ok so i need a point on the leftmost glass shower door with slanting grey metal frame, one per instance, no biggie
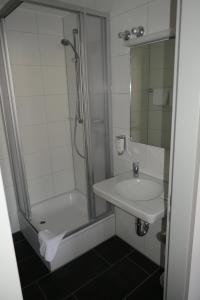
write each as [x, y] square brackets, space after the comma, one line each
[11, 130]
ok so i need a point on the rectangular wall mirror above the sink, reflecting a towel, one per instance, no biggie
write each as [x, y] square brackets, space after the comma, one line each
[151, 93]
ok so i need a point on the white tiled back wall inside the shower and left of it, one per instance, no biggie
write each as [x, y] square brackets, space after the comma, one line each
[40, 84]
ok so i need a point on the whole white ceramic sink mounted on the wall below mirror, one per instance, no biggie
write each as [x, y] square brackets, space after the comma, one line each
[142, 197]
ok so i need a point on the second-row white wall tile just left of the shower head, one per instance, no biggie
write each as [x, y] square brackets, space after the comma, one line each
[51, 50]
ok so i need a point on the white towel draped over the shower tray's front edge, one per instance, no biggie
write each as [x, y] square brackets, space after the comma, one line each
[49, 244]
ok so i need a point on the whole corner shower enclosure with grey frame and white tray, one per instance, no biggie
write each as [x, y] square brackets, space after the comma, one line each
[55, 107]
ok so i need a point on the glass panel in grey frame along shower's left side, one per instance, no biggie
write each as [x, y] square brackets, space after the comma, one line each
[9, 128]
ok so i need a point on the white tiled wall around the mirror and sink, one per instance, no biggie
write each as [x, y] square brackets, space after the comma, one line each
[154, 16]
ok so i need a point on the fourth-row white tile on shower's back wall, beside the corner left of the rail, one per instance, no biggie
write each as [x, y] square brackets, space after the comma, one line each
[56, 107]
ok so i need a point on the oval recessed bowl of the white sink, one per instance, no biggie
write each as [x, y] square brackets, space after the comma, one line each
[139, 189]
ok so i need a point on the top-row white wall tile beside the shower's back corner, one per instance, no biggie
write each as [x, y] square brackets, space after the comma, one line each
[49, 24]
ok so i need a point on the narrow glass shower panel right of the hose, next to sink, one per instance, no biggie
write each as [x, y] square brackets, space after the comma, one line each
[95, 39]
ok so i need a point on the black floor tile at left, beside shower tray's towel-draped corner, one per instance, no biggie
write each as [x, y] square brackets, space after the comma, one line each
[31, 269]
